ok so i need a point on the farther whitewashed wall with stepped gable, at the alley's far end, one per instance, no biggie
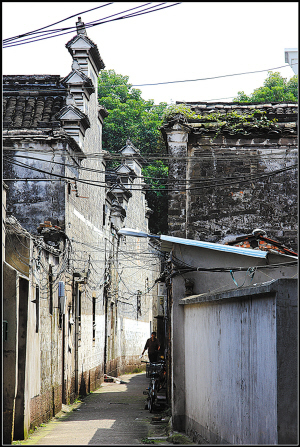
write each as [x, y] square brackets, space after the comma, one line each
[136, 266]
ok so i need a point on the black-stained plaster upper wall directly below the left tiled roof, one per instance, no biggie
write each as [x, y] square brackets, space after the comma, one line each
[35, 201]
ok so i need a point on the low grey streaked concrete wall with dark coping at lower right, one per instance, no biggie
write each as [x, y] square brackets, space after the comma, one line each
[240, 365]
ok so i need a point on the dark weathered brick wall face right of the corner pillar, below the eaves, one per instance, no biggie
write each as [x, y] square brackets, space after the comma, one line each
[231, 209]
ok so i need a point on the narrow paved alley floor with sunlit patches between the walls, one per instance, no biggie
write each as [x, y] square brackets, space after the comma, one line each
[112, 415]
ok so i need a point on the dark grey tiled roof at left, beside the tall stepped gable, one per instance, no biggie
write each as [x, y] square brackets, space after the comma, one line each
[31, 102]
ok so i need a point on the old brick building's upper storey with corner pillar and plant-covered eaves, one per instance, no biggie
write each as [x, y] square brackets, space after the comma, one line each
[226, 183]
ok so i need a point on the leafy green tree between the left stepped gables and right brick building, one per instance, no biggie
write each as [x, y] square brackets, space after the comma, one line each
[130, 116]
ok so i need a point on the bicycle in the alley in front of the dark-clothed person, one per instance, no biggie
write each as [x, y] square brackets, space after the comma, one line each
[157, 374]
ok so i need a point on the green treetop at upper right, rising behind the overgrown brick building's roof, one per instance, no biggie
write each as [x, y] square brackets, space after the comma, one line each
[275, 89]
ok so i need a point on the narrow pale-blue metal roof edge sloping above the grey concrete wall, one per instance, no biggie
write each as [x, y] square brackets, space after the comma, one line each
[218, 247]
